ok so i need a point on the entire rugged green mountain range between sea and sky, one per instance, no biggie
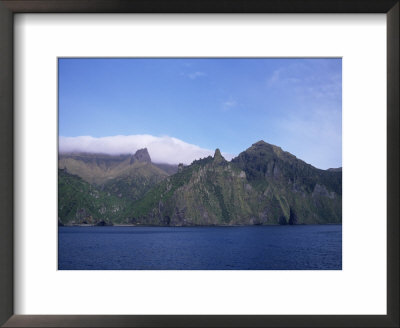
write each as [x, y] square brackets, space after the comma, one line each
[262, 185]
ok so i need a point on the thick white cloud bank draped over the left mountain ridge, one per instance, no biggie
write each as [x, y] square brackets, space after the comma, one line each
[161, 149]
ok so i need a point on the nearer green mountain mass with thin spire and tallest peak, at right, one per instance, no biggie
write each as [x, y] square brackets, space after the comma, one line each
[263, 185]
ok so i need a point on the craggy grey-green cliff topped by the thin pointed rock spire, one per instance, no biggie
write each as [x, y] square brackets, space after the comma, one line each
[210, 191]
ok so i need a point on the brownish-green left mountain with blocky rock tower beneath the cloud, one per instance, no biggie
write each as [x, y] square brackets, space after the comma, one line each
[95, 188]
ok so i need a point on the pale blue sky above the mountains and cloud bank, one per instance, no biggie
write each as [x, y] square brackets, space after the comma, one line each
[206, 103]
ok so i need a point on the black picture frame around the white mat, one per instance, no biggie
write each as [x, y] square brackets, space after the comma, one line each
[10, 7]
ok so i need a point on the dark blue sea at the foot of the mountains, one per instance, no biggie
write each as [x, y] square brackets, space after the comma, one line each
[302, 247]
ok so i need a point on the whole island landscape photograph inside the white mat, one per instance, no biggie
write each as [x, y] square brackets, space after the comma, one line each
[223, 163]
